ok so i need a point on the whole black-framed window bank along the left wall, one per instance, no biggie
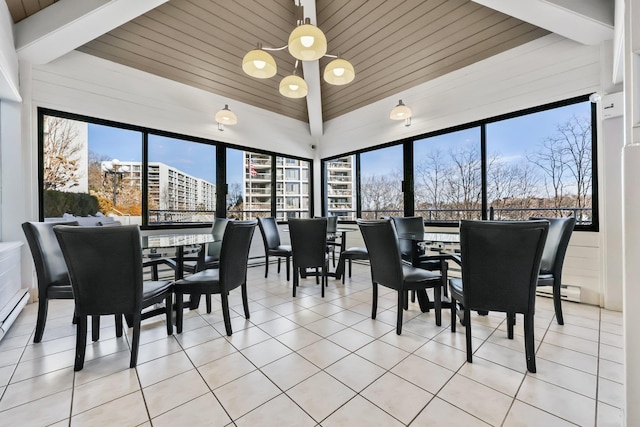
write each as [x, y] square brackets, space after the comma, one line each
[91, 166]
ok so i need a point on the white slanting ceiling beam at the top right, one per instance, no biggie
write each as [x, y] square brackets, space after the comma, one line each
[588, 22]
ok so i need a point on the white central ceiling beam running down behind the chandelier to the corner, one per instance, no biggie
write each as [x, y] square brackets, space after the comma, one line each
[311, 70]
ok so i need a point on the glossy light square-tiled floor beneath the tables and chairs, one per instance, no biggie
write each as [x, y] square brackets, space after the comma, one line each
[308, 361]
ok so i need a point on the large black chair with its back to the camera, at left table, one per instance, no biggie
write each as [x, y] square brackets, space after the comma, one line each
[105, 267]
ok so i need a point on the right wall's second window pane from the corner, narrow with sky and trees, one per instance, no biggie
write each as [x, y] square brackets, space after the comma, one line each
[381, 183]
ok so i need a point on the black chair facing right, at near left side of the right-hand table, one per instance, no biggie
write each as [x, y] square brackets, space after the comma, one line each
[387, 269]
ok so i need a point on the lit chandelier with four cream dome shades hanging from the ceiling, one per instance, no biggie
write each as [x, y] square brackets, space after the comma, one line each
[306, 43]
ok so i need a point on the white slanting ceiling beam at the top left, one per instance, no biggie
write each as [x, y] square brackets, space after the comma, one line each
[68, 24]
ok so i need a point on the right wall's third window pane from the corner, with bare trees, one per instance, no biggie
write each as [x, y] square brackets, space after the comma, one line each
[447, 176]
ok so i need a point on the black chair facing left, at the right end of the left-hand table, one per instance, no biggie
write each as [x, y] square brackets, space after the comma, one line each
[230, 274]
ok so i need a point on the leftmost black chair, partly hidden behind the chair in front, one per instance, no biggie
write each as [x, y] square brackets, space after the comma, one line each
[51, 270]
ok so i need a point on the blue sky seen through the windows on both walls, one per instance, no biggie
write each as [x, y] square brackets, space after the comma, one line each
[507, 137]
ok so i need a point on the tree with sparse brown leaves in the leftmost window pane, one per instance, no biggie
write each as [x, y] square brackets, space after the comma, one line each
[61, 154]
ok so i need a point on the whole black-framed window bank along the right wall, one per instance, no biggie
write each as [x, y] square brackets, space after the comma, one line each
[536, 162]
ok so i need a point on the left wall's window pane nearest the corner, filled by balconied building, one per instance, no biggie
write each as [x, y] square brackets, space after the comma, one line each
[292, 176]
